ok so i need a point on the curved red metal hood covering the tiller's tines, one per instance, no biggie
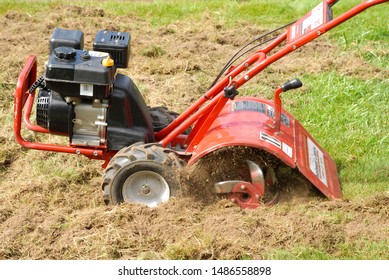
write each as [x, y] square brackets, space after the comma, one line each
[249, 121]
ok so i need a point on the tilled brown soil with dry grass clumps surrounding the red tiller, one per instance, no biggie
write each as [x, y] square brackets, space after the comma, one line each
[51, 205]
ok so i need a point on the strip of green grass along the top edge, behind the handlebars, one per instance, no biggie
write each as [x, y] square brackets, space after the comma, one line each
[369, 36]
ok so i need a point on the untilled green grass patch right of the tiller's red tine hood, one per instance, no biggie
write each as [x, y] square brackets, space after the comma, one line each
[348, 117]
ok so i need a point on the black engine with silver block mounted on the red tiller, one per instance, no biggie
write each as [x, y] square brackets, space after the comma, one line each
[85, 99]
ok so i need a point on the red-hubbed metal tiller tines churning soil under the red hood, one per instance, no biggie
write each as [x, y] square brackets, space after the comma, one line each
[246, 194]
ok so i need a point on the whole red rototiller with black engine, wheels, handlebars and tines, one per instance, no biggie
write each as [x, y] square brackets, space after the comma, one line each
[105, 117]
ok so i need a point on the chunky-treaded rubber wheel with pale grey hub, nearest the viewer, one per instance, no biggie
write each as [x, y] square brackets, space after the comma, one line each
[141, 173]
